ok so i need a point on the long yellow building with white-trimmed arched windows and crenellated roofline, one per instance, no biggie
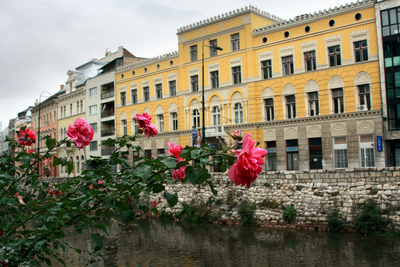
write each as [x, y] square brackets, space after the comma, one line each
[307, 87]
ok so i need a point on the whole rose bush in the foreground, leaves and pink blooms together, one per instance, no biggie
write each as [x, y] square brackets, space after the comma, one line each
[35, 214]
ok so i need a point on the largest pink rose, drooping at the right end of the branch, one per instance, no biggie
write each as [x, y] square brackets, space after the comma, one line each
[248, 166]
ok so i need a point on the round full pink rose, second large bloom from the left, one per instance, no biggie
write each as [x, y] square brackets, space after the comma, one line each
[80, 132]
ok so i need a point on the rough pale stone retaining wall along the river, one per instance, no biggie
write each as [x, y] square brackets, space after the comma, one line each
[315, 194]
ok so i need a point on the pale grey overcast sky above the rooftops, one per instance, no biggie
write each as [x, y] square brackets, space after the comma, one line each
[42, 39]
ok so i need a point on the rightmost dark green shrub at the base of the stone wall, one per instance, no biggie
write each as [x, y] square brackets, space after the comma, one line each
[370, 219]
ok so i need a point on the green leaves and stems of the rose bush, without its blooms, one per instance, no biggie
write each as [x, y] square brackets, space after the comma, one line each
[35, 215]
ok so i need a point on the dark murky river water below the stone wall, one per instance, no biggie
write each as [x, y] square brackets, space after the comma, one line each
[158, 243]
